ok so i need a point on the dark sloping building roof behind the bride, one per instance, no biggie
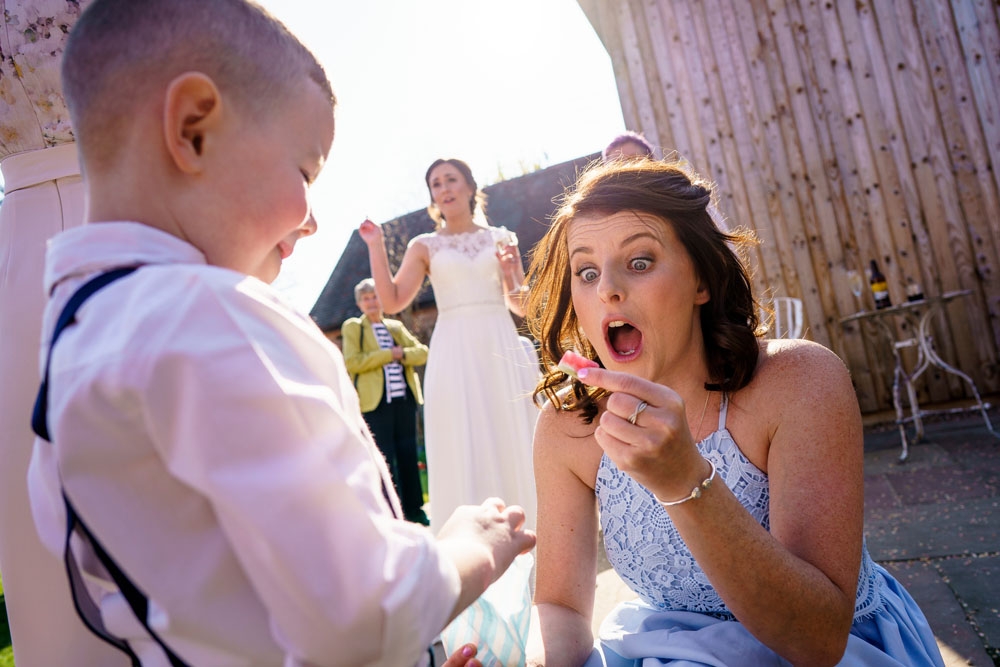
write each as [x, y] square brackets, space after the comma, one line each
[522, 205]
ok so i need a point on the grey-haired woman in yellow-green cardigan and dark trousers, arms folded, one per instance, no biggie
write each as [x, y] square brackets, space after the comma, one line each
[380, 355]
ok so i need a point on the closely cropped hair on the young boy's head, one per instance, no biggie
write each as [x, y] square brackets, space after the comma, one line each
[123, 52]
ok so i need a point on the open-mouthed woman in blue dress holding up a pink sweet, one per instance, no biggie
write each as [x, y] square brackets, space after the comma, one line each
[726, 470]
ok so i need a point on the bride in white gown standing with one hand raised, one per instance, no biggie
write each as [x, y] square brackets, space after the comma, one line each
[479, 417]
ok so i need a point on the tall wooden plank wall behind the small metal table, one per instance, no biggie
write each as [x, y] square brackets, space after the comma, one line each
[840, 131]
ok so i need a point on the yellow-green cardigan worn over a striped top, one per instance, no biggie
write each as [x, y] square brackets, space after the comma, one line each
[365, 359]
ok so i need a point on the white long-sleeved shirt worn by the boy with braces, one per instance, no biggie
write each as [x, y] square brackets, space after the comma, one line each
[210, 437]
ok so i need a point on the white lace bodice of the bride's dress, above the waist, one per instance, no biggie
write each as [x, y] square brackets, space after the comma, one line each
[464, 268]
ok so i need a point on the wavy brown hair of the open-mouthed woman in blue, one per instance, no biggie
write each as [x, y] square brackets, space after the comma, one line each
[729, 320]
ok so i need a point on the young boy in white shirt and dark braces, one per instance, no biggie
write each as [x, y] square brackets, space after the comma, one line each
[207, 435]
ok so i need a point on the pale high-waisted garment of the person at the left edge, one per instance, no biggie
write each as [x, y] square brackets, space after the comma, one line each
[44, 196]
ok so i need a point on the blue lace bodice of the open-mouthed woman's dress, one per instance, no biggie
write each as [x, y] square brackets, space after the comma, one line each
[648, 553]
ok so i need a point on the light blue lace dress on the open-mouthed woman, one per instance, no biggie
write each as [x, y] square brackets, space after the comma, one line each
[679, 619]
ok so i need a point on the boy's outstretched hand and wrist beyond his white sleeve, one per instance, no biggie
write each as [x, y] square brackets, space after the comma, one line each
[482, 541]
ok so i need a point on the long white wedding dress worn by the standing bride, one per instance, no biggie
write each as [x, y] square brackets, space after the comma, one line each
[479, 417]
